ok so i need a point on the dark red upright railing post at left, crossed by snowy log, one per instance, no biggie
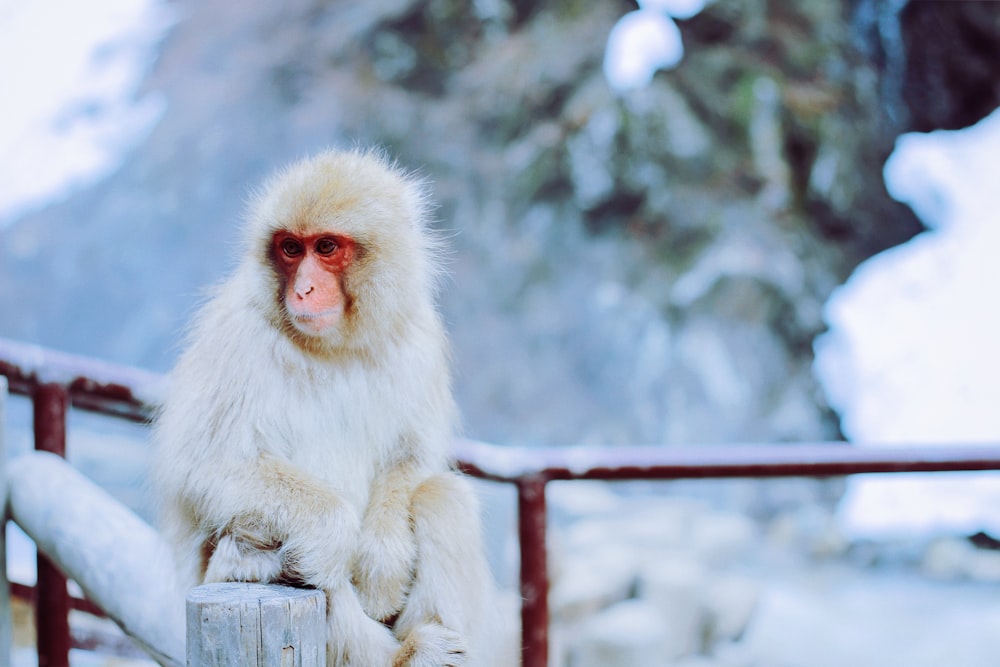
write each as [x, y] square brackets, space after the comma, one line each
[50, 403]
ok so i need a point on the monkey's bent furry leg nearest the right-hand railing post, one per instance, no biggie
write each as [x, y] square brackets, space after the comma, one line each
[451, 592]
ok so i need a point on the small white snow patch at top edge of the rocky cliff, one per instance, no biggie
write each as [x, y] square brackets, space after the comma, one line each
[646, 40]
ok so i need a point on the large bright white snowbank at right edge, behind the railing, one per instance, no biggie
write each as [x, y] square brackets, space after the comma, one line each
[911, 355]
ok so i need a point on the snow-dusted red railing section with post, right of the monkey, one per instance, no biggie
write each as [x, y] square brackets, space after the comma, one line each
[531, 469]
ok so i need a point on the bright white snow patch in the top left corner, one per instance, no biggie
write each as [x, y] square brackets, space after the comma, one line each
[70, 76]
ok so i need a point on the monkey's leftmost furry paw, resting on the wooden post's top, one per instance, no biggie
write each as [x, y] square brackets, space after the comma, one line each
[243, 553]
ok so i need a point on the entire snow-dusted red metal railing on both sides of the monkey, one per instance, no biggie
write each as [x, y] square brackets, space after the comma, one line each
[55, 381]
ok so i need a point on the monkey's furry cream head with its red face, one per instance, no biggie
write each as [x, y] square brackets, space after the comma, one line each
[348, 262]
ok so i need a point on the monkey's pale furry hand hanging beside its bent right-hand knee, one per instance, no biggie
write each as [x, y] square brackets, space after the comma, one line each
[384, 560]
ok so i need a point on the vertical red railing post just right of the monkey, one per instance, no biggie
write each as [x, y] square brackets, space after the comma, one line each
[531, 513]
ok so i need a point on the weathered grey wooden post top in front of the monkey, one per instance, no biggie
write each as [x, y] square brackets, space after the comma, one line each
[234, 624]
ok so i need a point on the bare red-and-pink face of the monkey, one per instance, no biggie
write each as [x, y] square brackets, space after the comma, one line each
[312, 270]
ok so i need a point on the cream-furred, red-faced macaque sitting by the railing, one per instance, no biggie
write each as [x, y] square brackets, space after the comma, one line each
[306, 434]
